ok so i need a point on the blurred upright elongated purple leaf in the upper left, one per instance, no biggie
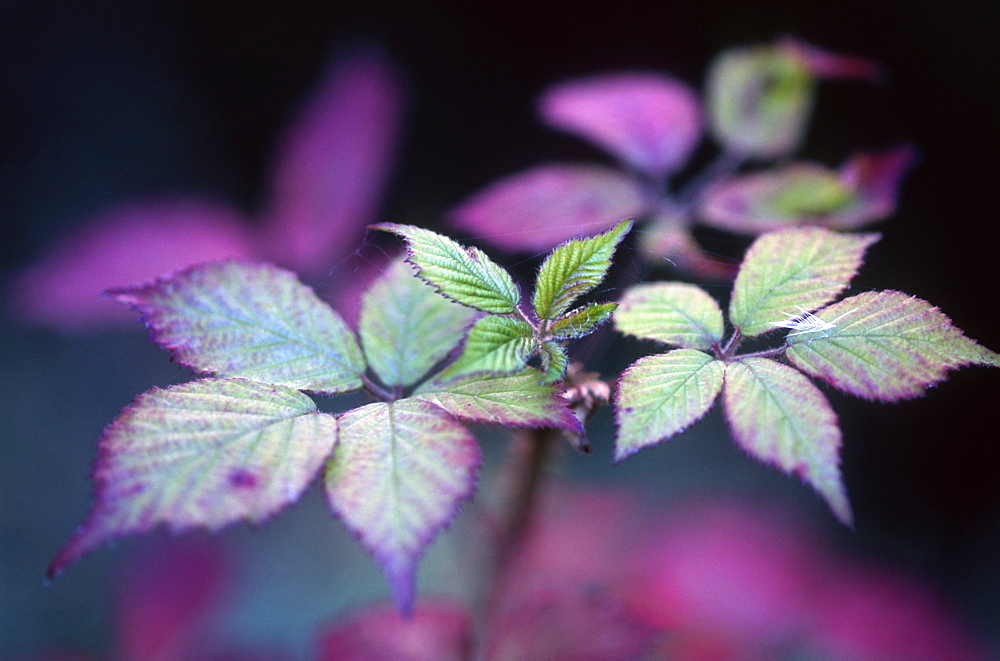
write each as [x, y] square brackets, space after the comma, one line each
[333, 163]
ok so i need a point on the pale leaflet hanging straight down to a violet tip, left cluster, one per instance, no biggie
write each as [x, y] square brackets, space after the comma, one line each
[397, 477]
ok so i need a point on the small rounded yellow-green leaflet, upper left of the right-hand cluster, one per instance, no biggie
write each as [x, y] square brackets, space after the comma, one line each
[671, 312]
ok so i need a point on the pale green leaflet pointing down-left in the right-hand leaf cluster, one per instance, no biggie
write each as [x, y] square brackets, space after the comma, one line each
[660, 396]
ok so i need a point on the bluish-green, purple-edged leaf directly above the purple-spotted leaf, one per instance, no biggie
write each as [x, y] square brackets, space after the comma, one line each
[256, 321]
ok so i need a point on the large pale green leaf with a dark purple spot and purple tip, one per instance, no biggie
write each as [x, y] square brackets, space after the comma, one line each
[202, 454]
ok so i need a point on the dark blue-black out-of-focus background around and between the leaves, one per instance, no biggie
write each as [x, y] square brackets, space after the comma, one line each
[110, 101]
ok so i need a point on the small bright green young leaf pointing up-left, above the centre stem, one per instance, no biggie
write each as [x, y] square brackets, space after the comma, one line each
[466, 275]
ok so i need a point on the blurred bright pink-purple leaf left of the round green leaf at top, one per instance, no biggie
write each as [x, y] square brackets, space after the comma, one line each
[648, 120]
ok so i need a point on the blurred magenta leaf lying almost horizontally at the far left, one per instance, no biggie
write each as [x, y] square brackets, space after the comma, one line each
[126, 244]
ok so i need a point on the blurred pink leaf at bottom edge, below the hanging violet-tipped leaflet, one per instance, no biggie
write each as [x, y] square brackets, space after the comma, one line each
[436, 631]
